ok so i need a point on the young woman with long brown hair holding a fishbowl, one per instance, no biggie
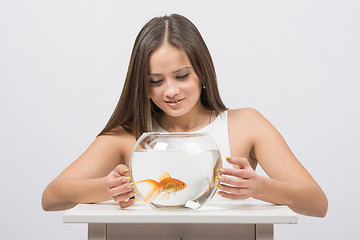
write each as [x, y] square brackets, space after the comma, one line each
[171, 86]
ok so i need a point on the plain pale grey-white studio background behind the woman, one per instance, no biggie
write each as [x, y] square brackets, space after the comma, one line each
[62, 65]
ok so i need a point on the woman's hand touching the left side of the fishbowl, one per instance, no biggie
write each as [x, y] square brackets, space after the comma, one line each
[119, 187]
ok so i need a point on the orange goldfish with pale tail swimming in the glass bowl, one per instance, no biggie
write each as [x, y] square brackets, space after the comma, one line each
[166, 185]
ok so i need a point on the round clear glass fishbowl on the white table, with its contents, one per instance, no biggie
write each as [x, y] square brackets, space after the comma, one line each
[175, 170]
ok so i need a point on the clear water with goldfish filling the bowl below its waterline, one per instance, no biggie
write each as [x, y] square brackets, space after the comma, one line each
[175, 179]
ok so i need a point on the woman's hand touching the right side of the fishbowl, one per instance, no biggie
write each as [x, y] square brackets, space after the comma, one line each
[239, 182]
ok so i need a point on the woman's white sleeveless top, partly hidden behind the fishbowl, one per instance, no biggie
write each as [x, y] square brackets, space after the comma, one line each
[218, 130]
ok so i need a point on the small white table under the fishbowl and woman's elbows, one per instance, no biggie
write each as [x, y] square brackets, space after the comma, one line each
[216, 220]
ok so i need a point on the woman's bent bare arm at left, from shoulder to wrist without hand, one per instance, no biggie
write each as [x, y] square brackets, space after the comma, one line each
[84, 181]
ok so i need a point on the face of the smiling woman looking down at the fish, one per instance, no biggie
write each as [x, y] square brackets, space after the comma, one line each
[174, 86]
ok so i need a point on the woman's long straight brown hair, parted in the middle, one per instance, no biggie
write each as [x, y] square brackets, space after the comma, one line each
[135, 110]
